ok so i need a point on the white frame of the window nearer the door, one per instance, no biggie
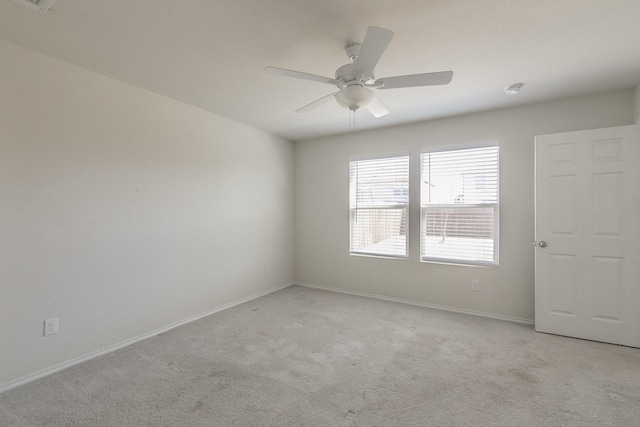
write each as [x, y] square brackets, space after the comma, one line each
[495, 206]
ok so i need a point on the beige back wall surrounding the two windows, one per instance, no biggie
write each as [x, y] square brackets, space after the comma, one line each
[322, 212]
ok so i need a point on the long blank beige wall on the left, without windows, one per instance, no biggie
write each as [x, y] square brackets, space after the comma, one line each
[123, 212]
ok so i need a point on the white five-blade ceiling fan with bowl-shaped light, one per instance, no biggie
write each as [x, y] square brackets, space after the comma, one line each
[356, 79]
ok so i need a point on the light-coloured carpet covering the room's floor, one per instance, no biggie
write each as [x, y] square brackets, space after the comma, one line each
[305, 357]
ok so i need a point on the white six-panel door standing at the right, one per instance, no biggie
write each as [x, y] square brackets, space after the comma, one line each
[588, 235]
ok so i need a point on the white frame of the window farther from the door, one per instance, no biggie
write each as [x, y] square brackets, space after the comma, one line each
[354, 207]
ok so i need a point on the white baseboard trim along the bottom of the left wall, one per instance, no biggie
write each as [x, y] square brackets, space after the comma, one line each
[64, 365]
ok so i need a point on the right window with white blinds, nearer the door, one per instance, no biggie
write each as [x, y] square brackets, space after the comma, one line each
[459, 206]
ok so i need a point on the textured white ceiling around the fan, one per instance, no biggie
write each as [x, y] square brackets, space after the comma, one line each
[211, 53]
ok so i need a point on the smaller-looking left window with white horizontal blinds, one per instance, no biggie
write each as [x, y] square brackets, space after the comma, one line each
[379, 200]
